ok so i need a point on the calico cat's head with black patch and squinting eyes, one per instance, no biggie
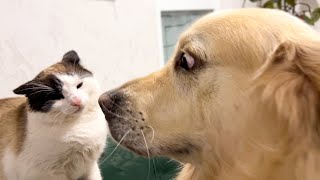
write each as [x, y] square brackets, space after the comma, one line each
[65, 87]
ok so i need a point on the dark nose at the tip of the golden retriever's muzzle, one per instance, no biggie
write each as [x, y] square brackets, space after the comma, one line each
[109, 103]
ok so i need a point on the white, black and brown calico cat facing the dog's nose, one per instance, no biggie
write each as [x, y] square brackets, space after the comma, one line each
[57, 131]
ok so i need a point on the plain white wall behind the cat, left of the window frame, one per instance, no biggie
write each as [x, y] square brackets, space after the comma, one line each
[117, 40]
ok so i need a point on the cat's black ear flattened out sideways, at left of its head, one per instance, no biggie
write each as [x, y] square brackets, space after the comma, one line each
[29, 88]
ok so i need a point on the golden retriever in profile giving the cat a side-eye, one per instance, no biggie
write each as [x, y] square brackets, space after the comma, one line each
[238, 100]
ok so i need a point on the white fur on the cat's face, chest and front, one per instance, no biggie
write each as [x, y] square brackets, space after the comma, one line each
[62, 145]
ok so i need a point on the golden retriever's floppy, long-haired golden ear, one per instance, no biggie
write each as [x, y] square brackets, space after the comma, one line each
[290, 82]
